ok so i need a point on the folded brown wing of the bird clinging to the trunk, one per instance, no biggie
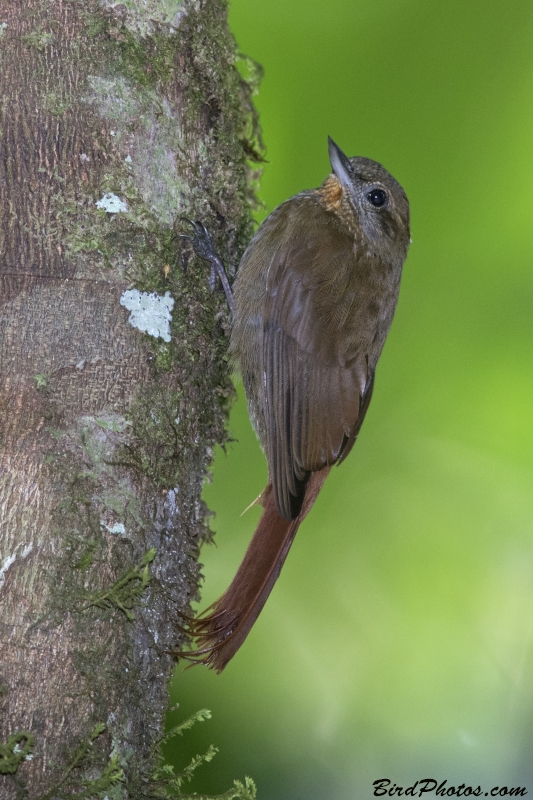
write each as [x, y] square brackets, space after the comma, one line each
[315, 373]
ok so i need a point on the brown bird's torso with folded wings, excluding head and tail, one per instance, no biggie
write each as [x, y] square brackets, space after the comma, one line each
[312, 316]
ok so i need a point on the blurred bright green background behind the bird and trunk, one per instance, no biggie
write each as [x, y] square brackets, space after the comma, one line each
[398, 641]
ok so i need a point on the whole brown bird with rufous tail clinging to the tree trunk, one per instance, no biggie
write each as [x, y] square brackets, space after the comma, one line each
[312, 304]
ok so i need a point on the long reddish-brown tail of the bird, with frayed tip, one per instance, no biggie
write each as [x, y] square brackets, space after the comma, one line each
[220, 633]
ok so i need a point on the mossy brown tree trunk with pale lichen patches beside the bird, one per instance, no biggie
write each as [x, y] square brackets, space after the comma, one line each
[106, 432]
